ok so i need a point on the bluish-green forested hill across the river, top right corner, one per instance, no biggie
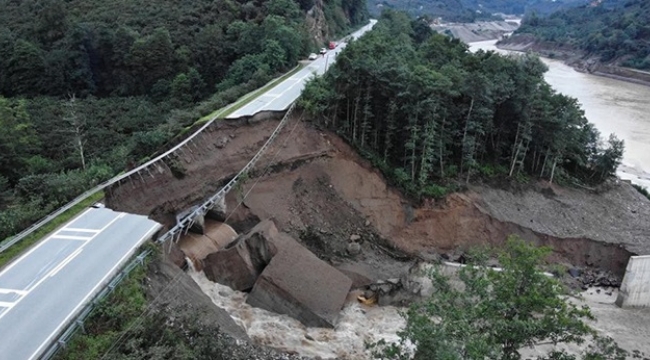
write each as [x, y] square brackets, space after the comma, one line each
[614, 30]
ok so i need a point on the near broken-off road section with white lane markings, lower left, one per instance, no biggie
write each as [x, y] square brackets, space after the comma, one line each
[42, 290]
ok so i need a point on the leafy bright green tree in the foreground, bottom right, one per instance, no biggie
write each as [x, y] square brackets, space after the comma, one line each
[494, 314]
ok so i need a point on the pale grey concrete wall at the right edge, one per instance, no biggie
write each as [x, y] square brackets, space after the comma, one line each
[635, 289]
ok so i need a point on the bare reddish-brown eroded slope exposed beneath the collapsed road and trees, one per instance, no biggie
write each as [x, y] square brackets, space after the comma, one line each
[311, 179]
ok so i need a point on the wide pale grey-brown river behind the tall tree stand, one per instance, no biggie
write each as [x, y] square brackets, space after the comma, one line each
[613, 106]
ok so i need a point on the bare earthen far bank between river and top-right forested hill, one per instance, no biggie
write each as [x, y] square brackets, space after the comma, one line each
[576, 59]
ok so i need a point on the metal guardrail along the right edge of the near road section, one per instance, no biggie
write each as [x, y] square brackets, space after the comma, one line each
[77, 324]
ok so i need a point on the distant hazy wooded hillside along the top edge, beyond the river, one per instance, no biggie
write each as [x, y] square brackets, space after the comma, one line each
[470, 10]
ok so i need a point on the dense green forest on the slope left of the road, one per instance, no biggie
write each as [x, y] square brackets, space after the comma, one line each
[88, 88]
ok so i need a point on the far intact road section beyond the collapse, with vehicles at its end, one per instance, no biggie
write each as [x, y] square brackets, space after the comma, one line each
[281, 96]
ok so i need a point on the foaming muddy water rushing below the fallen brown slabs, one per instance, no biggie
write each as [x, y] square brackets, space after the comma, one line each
[357, 326]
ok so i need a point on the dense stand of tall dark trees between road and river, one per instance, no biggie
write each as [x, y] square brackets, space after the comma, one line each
[429, 113]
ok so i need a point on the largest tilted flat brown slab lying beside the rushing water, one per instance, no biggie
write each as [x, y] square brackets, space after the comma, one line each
[299, 284]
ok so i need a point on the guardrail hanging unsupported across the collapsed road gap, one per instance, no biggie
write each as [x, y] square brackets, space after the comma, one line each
[186, 223]
